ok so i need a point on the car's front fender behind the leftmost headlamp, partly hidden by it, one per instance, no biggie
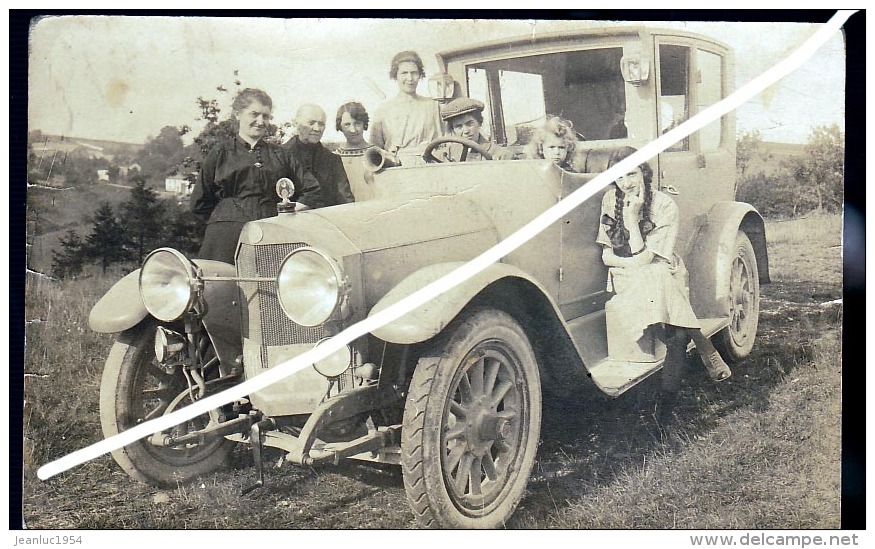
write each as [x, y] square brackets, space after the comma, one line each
[122, 308]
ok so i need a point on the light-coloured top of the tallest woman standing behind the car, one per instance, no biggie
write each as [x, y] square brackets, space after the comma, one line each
[405, 122]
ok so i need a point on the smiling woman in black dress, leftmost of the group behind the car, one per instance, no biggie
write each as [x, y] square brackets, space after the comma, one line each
[237, 180]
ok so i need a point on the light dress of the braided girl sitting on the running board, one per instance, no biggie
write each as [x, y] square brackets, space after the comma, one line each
[654, 293]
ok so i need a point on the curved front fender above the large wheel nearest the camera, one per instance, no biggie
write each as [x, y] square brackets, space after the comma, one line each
[429, 319]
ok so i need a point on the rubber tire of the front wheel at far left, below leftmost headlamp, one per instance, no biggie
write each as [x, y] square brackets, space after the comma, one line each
[132, 352]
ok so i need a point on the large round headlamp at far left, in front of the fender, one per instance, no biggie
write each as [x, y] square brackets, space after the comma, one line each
[168, 284]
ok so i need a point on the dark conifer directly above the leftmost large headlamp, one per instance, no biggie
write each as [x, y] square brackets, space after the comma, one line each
[143, 221]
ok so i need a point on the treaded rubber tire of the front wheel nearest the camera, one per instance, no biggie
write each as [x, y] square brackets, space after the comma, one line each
[435, 381]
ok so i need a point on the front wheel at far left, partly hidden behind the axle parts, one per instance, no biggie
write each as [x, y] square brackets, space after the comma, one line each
[133, 390]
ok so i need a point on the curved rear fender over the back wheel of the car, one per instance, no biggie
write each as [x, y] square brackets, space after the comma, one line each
[712, 253]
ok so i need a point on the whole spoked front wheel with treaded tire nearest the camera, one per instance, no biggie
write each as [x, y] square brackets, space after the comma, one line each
[471, 424]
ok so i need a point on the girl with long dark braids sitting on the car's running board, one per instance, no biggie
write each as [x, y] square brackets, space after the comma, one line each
[638, 231]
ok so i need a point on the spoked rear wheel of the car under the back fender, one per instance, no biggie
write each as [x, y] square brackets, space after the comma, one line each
[736, 341]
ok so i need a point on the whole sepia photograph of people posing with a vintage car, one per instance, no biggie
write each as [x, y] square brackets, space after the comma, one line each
[212, 198]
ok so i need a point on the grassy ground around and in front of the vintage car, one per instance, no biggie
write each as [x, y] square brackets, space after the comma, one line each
[761, 450]
